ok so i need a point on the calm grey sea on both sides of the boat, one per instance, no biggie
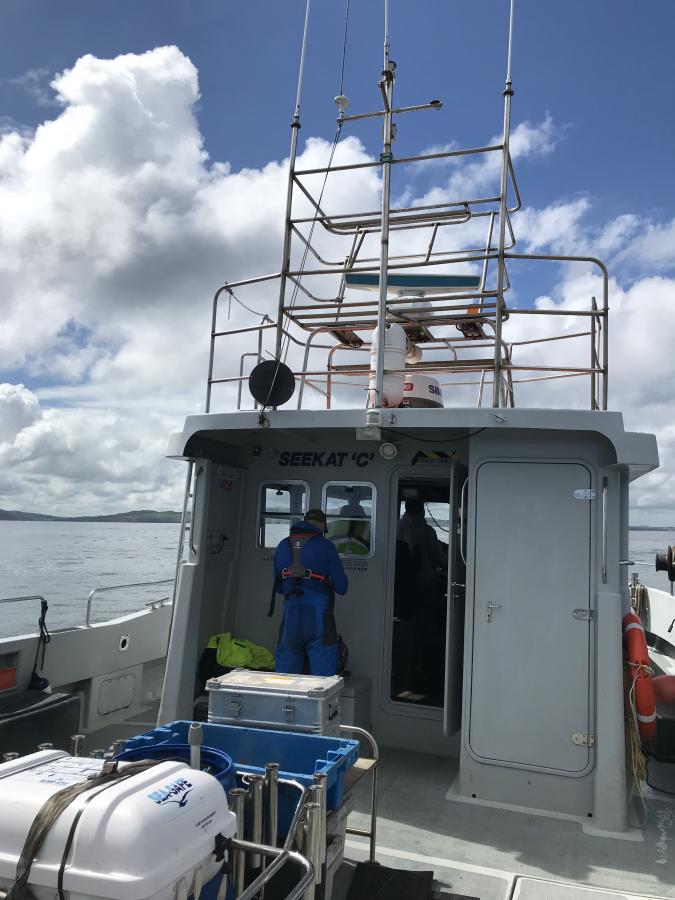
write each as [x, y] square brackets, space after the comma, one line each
[63, 561]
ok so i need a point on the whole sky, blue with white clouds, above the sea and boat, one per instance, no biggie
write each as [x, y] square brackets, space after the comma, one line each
[143, 152]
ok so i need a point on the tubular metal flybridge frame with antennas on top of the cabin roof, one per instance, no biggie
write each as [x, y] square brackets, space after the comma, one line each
[450, 334]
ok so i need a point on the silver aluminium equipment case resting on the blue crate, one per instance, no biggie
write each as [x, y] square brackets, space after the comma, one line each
[305, 703]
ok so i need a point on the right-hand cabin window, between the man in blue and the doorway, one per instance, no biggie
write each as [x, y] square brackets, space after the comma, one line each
[350, 513]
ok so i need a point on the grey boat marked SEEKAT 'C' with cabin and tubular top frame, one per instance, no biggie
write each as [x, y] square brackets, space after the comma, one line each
[499, 738]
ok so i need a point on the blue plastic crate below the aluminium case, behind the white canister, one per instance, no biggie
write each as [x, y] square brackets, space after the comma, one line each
[299, 756]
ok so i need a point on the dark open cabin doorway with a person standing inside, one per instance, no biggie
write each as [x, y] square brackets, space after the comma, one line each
[426, 632]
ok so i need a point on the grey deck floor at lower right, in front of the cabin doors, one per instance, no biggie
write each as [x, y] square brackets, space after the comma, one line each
[480, 851]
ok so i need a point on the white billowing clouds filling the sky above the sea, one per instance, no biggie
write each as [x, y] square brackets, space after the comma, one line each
[115, 228]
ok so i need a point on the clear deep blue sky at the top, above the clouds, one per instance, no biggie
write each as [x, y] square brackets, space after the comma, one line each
[604, 68]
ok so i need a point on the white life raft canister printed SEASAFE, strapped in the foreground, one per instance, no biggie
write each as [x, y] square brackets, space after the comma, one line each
[147, 837]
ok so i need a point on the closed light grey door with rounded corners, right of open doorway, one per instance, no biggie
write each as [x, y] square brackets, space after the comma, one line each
[530, 669]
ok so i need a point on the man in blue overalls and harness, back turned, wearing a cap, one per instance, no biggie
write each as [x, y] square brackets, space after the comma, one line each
[308, 572]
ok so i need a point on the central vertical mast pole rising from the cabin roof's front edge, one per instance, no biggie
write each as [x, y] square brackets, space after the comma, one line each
[387, 88]
